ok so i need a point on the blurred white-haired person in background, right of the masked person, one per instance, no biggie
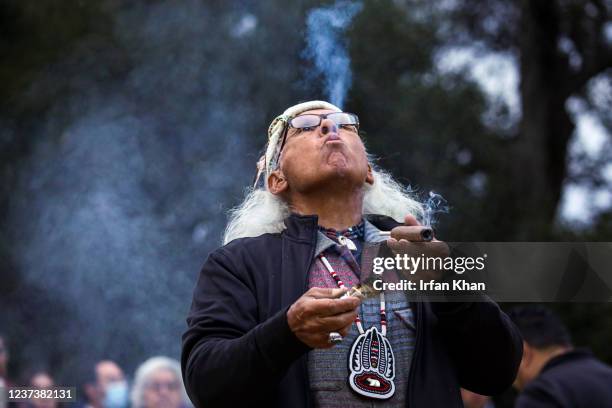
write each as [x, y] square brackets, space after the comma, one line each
[158, 384]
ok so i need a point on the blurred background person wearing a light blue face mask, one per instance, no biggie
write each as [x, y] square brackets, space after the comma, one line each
[107, 387]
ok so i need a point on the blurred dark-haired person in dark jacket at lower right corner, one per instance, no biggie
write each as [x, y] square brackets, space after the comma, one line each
[552, 372]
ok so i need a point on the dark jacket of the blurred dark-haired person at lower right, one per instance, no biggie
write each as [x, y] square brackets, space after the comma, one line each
[575, 379]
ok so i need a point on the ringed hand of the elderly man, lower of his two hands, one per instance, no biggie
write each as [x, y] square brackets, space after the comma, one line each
[319, 312]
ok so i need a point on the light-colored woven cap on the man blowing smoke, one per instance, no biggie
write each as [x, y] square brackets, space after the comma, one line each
[269, 161]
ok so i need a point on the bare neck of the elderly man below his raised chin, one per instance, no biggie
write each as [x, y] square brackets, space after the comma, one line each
[334, 210]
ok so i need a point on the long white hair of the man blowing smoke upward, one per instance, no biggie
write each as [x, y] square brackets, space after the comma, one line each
[262, 212]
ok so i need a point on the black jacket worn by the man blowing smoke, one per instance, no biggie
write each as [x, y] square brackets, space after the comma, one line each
[238, 348]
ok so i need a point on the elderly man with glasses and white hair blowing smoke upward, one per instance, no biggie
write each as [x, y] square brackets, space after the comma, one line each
[268, 323]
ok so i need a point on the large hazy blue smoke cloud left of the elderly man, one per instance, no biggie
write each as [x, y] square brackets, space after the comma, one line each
[148, 138]
